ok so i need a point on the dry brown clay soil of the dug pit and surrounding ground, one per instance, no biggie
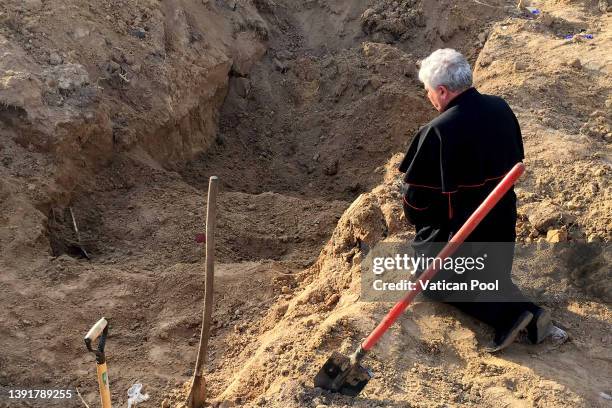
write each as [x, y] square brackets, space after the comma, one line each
[121, 110]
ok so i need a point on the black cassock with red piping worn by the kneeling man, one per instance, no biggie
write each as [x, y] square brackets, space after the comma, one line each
[451, 166]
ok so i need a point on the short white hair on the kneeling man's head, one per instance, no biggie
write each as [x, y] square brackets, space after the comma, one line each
[446, 67]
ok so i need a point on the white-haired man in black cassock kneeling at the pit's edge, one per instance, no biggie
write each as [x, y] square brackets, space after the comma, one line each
[453, 163]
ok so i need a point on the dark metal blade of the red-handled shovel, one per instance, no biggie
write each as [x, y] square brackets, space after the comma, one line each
[338, 374]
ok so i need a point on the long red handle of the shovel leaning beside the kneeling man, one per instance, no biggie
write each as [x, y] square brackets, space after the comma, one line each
[493, 198]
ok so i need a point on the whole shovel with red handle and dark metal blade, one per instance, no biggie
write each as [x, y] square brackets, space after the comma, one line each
[345, 374]
